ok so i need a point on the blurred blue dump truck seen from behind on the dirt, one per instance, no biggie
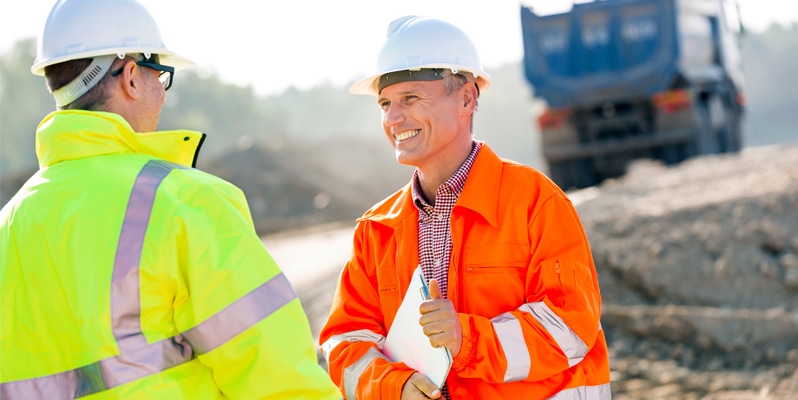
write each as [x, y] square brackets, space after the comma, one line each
[621, 80]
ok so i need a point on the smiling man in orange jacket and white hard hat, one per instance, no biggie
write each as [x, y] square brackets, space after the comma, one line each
[514, 292]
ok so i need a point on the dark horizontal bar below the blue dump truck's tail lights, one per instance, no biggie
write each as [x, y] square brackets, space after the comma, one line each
[617, 146]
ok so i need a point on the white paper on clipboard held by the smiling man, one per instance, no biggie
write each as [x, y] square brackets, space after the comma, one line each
[406, 341]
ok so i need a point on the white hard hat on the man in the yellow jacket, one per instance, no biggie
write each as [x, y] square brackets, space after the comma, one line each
[78, 29]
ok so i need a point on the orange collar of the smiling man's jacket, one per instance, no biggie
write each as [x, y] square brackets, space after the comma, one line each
[480, 194]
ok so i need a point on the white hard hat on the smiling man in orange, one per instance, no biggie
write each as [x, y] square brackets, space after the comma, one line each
[414, 43]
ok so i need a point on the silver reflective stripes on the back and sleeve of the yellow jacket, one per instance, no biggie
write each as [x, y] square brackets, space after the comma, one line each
[137, 358]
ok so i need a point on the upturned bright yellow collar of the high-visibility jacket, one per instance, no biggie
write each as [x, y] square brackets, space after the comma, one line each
[73, 134]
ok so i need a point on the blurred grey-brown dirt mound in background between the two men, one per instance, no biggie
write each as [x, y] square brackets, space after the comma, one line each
[291, 185]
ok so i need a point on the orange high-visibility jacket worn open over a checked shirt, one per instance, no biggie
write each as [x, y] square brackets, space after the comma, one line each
[521, 277]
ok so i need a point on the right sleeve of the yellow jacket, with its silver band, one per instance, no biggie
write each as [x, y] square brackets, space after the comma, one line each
[231, 301]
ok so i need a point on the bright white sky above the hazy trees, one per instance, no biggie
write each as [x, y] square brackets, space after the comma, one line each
[273, 45]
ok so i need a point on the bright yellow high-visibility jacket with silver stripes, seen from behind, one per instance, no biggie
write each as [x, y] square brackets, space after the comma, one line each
[126, 273]
